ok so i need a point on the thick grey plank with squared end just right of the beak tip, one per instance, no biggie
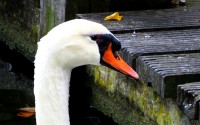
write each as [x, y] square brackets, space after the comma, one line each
[165, 72]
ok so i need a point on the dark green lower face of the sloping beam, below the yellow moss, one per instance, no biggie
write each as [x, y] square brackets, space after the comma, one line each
[112, 107]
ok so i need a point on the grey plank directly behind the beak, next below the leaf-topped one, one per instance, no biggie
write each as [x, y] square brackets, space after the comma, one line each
[163, 42]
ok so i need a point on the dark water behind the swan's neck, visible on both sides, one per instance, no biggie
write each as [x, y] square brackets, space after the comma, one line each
[13, 97]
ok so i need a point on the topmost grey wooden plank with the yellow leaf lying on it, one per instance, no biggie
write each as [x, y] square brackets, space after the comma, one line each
[150, 20]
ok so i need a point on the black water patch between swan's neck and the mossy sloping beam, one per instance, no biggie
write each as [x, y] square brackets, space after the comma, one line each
[81, 110]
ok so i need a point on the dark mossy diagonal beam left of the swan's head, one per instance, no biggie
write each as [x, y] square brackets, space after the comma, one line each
[18, 38]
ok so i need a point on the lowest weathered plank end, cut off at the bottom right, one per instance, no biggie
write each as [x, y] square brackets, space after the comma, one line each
[188, 98]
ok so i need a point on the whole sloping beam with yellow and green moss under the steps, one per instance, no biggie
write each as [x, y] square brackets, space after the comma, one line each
[128, 101]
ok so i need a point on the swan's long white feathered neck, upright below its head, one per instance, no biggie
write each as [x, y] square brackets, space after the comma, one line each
[51, 88]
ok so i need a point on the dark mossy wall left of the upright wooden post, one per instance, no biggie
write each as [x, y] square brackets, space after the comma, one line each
[19, 25]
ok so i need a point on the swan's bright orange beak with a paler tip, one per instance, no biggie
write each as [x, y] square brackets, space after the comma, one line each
[118, 63]
